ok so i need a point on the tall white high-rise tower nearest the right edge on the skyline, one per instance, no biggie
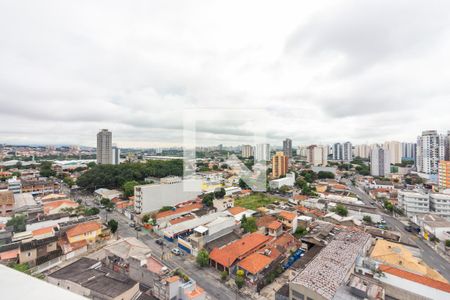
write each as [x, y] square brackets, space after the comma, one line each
[430, 150]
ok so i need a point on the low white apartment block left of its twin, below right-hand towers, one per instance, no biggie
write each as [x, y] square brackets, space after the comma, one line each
[413, 202]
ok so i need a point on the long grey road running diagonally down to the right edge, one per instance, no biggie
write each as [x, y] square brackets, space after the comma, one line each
[429, 256]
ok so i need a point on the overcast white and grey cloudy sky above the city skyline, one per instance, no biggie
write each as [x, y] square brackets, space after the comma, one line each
[233, 71]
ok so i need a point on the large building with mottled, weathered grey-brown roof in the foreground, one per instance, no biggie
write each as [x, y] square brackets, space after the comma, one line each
[330, 269]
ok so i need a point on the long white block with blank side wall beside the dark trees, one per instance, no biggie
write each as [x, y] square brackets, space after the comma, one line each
[151, 197]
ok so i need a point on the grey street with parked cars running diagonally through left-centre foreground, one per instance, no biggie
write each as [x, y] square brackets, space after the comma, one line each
[207, 278]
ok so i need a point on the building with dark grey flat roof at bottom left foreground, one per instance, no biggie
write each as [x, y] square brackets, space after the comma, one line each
[89, 278]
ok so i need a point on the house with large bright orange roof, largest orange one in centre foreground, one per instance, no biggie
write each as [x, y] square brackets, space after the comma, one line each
[226, 257]
